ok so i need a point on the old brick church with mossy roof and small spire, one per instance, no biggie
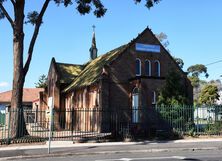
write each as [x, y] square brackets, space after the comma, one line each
[125, 79]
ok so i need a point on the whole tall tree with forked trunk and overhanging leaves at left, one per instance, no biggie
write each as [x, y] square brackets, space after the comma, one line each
[35, 18]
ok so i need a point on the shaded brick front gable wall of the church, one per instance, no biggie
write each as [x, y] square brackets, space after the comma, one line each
[123, 69]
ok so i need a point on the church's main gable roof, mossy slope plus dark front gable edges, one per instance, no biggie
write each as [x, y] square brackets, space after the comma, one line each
[93, 69]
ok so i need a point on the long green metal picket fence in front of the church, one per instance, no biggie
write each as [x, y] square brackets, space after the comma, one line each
[97, 124]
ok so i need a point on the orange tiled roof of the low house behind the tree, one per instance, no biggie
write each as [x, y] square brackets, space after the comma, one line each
[29, 95]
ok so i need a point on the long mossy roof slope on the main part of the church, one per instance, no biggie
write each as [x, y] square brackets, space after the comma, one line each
[93, 69]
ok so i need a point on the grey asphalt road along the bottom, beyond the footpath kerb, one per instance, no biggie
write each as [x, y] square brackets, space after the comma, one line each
[205, 155]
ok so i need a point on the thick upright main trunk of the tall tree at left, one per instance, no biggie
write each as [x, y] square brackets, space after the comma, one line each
[18, 128]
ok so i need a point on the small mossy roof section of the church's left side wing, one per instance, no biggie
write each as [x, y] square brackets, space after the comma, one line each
[68, 72]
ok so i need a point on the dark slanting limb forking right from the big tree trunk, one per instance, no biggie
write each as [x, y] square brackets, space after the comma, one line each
[34, 36]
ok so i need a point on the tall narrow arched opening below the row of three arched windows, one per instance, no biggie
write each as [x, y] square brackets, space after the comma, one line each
[135, 105]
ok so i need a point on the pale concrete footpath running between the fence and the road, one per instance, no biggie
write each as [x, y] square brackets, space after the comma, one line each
[63, 148]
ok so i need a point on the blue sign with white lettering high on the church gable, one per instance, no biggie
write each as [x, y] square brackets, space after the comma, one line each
[148, 48]
